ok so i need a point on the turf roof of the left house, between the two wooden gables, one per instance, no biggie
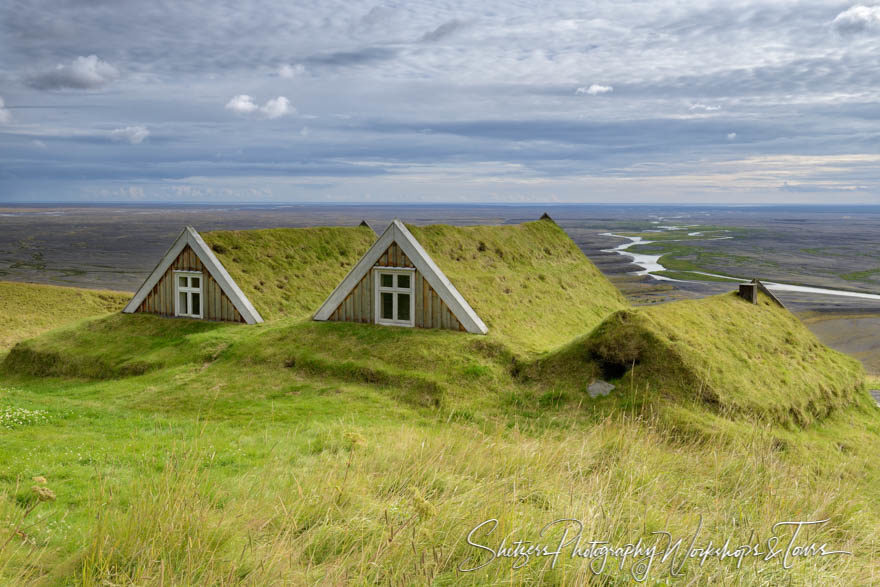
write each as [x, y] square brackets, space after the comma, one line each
[288, 272]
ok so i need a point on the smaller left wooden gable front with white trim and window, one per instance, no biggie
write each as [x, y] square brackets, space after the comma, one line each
[190, 282]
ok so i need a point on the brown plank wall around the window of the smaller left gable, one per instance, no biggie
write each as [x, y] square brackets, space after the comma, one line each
[217, 305]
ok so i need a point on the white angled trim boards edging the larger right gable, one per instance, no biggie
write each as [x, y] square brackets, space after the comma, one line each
[398, 233]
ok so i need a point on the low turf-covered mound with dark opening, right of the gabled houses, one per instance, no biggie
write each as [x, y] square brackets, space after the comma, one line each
[732, 356]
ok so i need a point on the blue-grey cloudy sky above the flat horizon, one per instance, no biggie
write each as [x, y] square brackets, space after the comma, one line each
[651, 101]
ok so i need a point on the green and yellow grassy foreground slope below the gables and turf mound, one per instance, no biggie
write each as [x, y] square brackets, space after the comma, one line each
[273, 462]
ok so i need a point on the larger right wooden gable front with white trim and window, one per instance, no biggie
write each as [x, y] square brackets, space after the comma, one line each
[396, 283]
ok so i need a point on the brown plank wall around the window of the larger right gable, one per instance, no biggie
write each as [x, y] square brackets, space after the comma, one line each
[430, 310]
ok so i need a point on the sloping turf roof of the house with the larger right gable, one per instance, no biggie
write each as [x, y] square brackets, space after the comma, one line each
[530, 283]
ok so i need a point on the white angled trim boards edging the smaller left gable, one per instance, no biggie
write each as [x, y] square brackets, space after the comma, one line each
[189, 236]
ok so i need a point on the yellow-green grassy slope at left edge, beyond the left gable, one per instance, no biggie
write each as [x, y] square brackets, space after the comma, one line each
[27, 309]
